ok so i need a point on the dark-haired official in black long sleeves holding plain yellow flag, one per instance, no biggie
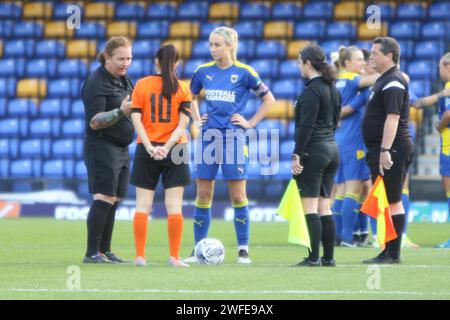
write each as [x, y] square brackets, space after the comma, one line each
[316, 157]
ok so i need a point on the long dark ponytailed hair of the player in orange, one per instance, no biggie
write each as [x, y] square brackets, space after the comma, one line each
[167, 58]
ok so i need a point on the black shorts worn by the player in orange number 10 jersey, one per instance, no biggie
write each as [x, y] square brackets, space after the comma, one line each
[146, 170]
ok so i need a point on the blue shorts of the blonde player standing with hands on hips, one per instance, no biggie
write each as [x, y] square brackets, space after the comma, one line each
[230, 153]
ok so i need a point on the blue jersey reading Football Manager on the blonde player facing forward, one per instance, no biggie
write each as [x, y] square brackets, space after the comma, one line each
[226, 91]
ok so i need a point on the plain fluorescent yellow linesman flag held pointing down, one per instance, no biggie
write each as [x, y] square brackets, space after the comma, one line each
[291, 209]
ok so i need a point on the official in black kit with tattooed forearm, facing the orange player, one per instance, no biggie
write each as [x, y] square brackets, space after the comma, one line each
[109, 131]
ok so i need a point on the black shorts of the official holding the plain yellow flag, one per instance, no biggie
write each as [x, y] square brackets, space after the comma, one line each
[319, 168]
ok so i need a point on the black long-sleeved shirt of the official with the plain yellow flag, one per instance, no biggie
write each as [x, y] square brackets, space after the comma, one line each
[316, 112]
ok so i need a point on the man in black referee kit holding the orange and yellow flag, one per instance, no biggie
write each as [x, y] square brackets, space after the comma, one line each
[386, 135]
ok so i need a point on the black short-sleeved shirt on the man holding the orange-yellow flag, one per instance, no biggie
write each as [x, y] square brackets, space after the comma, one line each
[389, 95]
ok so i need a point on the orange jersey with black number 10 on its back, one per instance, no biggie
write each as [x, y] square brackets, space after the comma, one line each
[160, 117]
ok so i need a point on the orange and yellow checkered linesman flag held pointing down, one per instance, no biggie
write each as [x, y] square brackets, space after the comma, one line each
[377, 207]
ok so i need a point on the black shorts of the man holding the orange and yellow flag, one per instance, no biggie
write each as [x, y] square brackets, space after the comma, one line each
[394, 178]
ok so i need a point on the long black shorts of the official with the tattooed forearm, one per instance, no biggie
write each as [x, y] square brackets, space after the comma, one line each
[108, 167]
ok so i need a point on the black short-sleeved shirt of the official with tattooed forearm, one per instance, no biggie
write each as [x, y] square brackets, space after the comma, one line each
[102, 93]
